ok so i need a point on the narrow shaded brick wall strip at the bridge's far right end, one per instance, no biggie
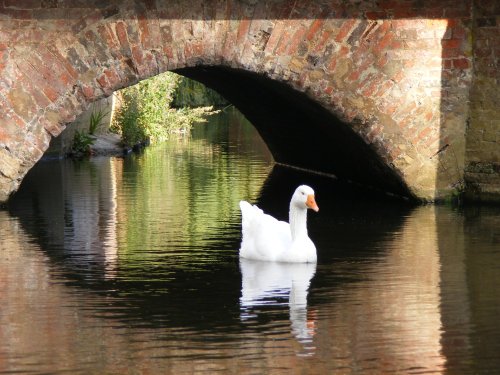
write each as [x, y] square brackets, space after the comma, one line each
[483, 135]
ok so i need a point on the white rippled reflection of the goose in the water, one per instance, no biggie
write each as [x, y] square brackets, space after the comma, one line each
[271, 283]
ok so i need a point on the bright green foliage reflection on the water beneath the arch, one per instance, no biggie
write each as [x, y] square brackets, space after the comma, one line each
[183, 192]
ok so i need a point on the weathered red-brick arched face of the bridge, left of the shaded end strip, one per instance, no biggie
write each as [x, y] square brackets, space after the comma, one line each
[397, 73]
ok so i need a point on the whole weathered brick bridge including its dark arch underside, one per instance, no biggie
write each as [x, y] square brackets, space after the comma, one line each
[396, 94]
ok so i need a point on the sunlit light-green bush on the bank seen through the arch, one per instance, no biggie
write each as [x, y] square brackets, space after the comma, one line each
[146, 113]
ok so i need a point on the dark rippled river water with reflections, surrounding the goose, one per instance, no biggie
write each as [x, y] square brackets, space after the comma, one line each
[130, 266]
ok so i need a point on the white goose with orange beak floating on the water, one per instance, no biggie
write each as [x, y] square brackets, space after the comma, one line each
[266, 238]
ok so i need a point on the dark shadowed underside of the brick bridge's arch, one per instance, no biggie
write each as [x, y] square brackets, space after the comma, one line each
[298, 131]
